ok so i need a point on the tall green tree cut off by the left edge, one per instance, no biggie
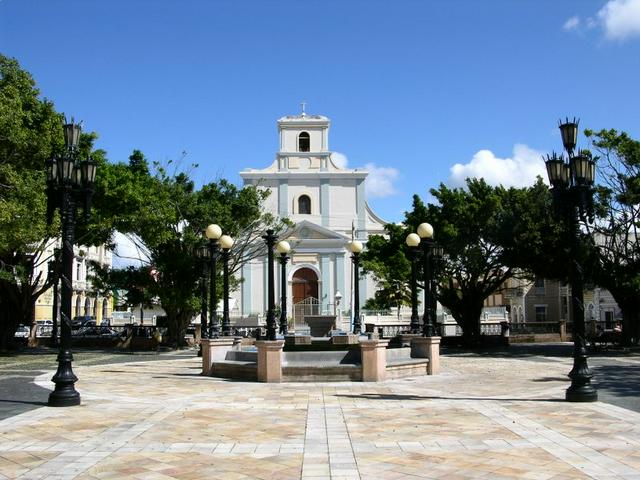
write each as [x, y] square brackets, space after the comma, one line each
[30, 132]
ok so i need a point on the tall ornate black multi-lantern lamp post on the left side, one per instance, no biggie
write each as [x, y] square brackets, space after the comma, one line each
[69, 182]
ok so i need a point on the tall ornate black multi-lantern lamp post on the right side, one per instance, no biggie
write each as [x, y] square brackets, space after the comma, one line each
[572, 188]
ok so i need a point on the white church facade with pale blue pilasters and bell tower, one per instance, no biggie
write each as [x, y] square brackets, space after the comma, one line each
[328, 206]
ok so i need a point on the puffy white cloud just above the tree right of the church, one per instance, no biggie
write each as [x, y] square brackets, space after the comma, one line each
[519, 171]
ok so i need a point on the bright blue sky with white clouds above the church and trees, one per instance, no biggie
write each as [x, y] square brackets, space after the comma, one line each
[413, 88]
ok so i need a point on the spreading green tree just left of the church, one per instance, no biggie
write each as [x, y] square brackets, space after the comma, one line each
[166, 216]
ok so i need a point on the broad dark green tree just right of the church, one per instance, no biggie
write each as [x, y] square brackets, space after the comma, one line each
[488, 234]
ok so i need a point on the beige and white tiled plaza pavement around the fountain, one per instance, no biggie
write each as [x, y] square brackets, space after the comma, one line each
[482, 417]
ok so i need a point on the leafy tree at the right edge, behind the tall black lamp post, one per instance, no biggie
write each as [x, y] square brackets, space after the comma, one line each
[616, 231]
